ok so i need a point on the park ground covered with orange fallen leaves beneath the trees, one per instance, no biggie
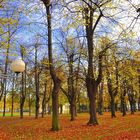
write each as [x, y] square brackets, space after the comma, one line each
[120, 128]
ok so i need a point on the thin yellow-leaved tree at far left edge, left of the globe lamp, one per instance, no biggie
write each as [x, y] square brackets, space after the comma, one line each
[9, 26]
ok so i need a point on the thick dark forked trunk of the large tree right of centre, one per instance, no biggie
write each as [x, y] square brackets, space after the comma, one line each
[91, 82]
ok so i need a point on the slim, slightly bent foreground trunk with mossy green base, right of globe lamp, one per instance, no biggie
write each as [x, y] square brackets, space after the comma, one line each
[56, 80]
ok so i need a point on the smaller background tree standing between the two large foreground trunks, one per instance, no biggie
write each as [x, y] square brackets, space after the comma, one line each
[72, 49]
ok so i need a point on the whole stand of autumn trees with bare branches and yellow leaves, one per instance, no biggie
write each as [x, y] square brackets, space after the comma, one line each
[78, 47]
